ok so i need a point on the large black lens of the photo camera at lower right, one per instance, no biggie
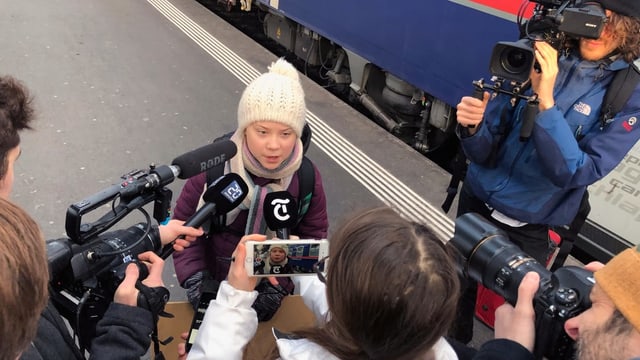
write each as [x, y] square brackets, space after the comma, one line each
[491, 259]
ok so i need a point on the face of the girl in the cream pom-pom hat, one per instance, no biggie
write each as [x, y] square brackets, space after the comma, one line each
[270, 142]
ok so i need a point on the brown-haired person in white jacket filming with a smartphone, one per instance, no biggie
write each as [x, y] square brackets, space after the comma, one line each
[391, 292]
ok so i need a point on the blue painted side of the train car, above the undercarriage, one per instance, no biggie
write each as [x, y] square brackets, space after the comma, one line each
[438, 46]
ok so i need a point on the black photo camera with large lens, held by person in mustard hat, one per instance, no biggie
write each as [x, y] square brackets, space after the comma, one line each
[491, 259]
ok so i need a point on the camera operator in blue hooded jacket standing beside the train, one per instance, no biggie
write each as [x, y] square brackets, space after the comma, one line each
[526, 187]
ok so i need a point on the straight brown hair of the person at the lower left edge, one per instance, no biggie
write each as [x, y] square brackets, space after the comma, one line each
[23, 279]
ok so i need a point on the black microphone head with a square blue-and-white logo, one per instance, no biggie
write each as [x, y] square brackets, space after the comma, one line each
[227, 192]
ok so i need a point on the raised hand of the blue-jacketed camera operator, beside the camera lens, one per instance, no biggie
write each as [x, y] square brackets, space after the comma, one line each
[544, 80]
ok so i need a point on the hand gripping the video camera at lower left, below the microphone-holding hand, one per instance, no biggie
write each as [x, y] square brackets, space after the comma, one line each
[126, 293]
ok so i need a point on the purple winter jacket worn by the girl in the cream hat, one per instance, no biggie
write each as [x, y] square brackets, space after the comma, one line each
[204, 252]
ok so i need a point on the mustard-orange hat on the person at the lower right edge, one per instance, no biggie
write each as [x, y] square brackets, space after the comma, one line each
[620, 281]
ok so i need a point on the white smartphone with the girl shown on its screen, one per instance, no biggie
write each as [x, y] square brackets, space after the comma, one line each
[284, 257]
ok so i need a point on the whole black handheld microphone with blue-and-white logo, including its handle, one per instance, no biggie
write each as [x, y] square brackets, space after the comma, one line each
[224, 195]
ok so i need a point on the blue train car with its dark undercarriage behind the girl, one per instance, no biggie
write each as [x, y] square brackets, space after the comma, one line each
[408, 63]
